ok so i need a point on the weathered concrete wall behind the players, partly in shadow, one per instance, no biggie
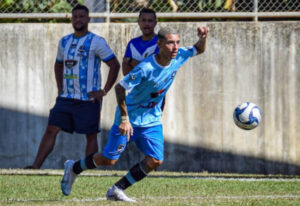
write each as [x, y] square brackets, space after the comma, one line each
[257, 62]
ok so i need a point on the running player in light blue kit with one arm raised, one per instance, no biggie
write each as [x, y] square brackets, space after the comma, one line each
[138, 115]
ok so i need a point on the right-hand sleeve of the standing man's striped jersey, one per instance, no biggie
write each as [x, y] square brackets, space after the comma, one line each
[103, 50]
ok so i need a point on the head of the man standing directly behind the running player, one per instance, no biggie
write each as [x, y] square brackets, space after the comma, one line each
[147, 23]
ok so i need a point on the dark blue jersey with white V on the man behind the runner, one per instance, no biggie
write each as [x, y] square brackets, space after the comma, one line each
[139, 49]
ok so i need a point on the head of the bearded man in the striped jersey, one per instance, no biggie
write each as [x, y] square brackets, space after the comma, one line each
[80, 20]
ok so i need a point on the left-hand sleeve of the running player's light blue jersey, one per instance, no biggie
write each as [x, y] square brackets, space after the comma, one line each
[133, 78]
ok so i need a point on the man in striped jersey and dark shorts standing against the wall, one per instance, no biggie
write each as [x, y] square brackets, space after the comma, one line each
[80, 91]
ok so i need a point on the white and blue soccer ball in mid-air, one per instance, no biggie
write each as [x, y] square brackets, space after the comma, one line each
[247, 115]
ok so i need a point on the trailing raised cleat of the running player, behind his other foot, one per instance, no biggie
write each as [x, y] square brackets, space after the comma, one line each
[68, 178]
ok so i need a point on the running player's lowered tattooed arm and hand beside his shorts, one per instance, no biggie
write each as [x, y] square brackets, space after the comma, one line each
[125, 126]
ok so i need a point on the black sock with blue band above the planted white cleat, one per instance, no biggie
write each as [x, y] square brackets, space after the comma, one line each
[135, 174]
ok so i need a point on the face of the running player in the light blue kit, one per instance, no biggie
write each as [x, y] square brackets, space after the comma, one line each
[169, 46]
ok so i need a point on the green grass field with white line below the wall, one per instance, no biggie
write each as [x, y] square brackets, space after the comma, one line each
[42, 187]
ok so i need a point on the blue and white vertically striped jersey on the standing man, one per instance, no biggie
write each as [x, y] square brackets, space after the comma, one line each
[81, 57]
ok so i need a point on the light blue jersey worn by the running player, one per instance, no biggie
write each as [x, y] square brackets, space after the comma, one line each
[147, 84]
